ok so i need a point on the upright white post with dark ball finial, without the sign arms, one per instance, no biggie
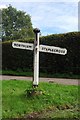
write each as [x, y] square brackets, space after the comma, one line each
[36, 58]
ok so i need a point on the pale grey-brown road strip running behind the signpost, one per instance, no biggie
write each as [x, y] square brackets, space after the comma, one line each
[50, 80]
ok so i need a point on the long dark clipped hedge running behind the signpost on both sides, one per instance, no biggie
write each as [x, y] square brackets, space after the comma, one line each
[17, 59]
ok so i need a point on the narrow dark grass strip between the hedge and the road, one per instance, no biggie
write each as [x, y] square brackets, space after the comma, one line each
[30, 73]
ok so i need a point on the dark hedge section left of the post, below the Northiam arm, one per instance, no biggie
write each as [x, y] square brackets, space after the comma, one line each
[16, 59]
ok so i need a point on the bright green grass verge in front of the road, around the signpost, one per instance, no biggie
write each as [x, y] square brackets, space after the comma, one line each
[57, 101]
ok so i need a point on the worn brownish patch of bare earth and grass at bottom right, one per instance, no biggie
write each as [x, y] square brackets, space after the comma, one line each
[61, 113]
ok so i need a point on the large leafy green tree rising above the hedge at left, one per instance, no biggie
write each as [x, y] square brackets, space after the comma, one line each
[16, 24]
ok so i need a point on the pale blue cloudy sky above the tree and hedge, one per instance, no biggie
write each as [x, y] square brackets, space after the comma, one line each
[51, 17]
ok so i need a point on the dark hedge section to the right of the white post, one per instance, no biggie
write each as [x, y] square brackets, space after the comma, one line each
[70, 63]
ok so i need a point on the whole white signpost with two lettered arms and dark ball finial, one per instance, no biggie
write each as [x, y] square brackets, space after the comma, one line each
[38, 48]
